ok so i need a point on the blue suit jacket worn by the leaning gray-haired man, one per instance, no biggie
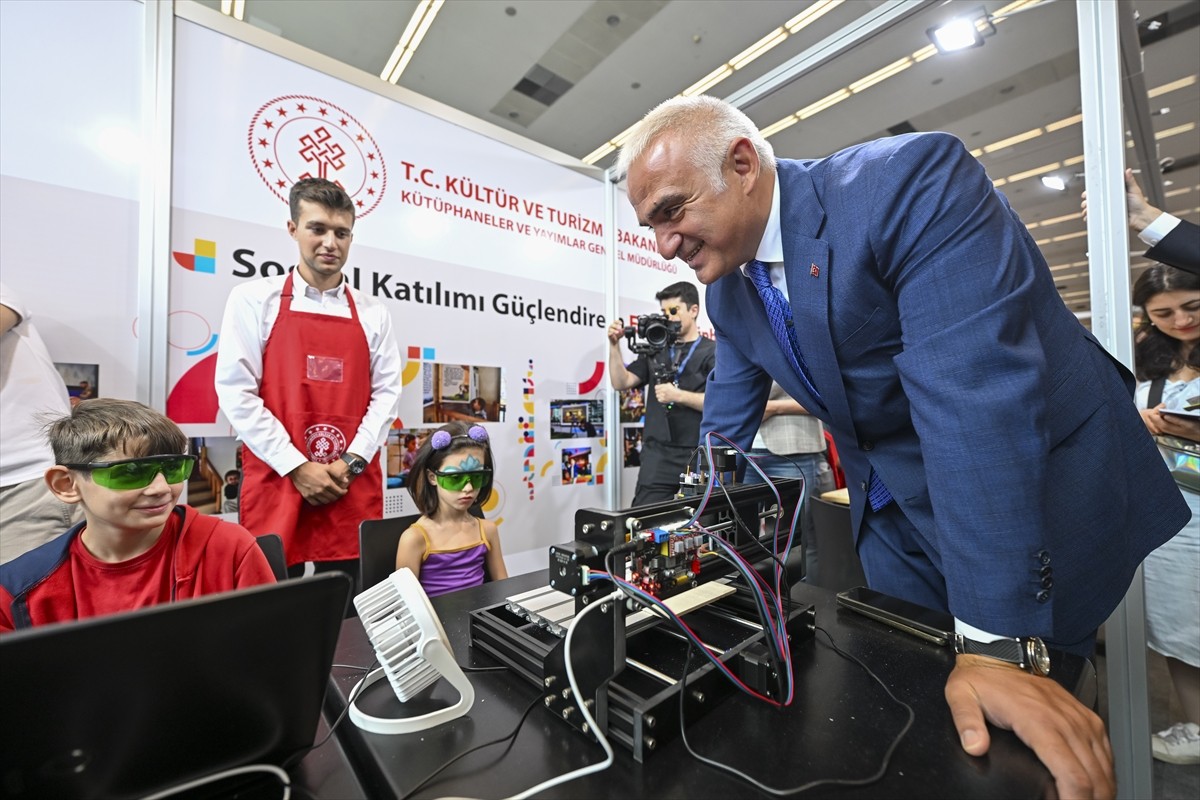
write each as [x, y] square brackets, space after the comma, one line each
[947, 363]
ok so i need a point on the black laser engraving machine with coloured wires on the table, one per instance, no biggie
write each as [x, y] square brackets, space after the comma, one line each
[705, 605]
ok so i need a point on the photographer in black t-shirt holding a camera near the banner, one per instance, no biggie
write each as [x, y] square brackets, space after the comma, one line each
[676, 362]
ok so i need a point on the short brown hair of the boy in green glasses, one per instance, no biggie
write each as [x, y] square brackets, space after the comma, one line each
[98, 429]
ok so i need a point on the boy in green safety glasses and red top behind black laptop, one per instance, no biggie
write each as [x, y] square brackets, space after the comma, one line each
[125, 466]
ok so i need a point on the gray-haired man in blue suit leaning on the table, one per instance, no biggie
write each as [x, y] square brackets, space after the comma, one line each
[997, 464]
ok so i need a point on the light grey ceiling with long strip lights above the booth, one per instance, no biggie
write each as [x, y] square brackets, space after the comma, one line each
[623, 57]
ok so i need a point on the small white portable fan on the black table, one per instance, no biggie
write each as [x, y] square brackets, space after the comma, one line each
[413, 651]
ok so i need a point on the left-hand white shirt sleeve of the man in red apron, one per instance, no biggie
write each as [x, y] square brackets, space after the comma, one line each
[251, 309]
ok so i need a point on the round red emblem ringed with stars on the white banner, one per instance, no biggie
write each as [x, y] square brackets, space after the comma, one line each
[298, 136]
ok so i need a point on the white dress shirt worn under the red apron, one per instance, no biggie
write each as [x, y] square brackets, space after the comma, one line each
[249, 318]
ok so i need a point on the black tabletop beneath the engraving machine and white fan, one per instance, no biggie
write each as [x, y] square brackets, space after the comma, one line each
[838, 727]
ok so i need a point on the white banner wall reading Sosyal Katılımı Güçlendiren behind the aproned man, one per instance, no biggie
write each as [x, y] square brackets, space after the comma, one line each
[487, 256]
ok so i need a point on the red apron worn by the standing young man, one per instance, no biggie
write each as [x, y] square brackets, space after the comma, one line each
[317, 383]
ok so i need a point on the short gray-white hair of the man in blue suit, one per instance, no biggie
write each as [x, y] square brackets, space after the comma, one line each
[707, 127]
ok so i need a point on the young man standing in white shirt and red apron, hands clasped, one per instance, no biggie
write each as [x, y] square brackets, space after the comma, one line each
[309, 376]
